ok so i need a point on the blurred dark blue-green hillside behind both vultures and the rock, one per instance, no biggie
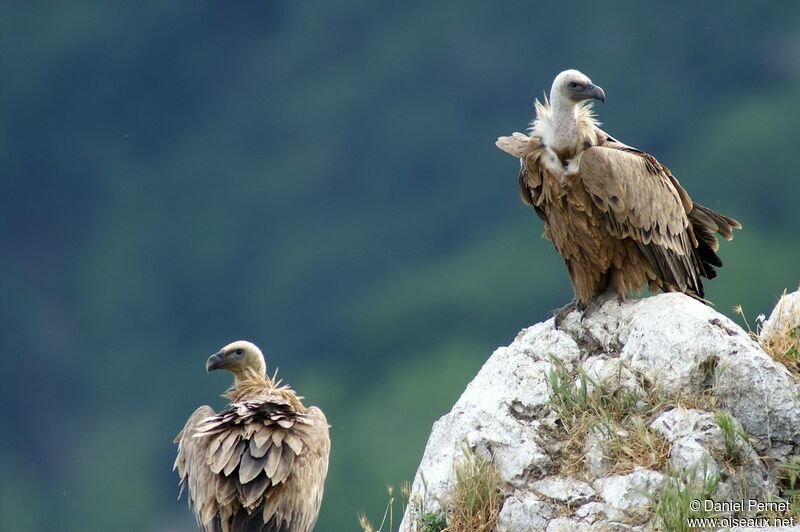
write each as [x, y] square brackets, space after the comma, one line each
[321, 178]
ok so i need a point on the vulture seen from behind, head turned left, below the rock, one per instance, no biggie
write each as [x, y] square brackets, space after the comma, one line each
[259, 464]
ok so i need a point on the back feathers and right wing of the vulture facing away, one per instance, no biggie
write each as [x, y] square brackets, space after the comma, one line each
[252, 448]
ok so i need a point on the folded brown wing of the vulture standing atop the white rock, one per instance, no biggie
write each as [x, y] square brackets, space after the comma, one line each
[641, 200]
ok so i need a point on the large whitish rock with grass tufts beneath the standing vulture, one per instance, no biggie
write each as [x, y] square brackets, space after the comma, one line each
[679, 364]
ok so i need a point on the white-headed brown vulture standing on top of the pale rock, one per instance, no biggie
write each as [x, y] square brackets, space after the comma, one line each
[617, 216]
